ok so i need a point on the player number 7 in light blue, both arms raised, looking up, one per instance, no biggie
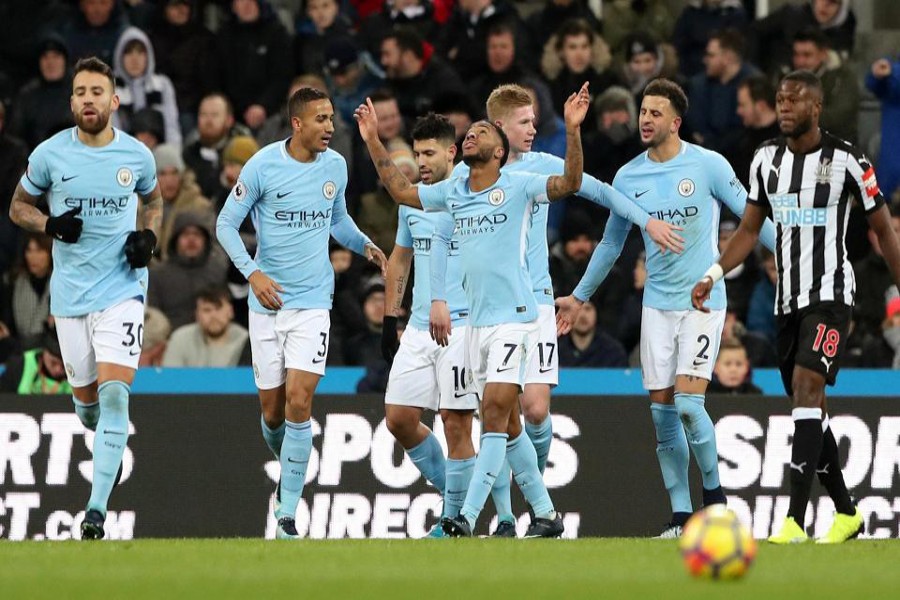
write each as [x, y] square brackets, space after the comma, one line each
[492, 214]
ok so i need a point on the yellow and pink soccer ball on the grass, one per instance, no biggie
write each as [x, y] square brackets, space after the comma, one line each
[716, 545]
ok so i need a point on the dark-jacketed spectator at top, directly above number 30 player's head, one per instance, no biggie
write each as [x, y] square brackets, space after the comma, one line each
[94, 29]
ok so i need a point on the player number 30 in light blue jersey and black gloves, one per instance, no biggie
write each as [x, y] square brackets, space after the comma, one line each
[93, 175]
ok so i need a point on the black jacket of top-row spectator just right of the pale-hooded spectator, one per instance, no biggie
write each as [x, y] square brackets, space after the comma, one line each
[185, 54]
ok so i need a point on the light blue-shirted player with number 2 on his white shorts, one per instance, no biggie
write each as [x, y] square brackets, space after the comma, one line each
[685, 185]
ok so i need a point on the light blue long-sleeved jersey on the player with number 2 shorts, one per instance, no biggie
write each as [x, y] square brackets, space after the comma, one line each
[687, 191]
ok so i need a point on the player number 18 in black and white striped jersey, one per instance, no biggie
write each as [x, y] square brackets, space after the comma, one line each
[808, 181]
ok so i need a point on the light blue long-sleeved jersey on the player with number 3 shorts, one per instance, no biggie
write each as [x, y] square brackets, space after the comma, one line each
[296, 207]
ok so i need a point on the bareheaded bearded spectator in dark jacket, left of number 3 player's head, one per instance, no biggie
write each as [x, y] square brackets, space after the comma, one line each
[203, 151]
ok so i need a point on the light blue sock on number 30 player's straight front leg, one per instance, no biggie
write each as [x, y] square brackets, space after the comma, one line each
[109, 441]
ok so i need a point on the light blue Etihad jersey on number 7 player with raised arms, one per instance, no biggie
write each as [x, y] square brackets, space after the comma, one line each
[492, 229]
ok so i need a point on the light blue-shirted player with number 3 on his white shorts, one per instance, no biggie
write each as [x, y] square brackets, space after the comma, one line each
[295, 189]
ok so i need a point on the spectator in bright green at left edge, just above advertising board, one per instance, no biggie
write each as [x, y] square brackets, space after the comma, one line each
[38, 370]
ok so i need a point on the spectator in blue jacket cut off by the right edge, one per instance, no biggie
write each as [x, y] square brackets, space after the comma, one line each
[883, 80]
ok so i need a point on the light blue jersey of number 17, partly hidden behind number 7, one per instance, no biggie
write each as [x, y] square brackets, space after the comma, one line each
[591, 189]
